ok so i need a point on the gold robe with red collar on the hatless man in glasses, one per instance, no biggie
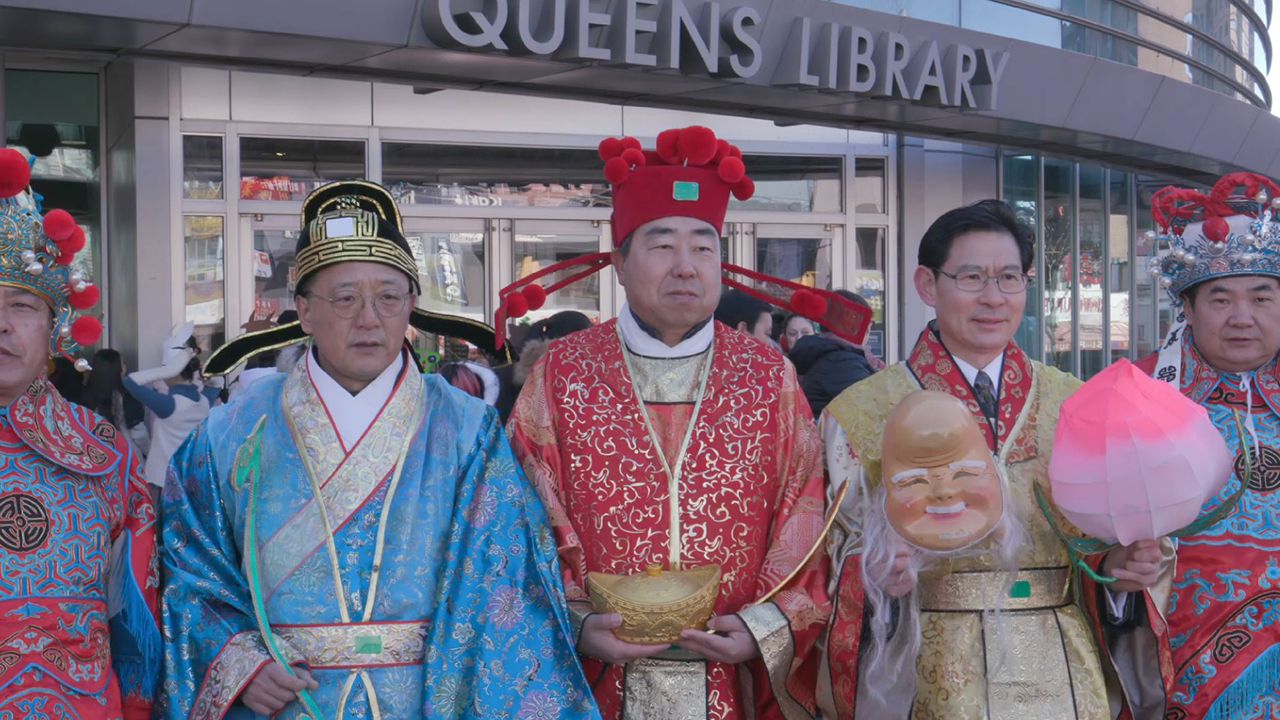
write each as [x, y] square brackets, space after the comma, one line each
[1054, 667]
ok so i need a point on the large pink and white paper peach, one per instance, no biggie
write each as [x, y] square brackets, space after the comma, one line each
[1135, 459]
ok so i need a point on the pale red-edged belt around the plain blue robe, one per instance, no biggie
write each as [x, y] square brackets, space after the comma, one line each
[358, 645]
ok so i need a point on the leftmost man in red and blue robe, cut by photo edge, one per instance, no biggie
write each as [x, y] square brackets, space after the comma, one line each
[79, 589]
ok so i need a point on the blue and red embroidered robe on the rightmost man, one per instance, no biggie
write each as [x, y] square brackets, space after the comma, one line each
[1224, 613]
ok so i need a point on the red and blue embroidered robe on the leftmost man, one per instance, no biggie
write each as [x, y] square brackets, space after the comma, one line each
[80, 590]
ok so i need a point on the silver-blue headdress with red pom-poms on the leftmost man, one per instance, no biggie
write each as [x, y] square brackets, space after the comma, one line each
[36, 254]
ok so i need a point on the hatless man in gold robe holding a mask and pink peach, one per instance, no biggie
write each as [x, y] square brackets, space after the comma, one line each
[993, 644]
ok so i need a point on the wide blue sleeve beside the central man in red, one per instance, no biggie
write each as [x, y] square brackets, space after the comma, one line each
[501, 612]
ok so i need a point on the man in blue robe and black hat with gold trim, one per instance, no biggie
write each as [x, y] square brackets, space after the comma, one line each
[354, 539]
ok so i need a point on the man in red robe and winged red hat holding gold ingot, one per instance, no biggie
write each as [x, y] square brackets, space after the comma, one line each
[668, 439]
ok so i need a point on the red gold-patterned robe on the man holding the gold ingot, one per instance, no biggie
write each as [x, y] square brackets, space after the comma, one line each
[749, 496]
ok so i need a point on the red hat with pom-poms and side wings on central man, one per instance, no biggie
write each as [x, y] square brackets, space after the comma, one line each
[691, 174]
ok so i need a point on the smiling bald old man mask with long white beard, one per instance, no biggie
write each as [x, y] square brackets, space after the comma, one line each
[943, 491]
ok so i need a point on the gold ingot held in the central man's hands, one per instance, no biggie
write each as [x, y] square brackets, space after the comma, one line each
[657, 605]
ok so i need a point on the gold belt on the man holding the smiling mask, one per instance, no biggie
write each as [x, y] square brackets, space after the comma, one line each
[991, 590]
